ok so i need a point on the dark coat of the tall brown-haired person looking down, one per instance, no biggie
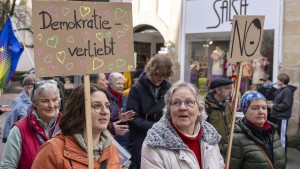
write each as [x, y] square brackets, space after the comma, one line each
[141, 100]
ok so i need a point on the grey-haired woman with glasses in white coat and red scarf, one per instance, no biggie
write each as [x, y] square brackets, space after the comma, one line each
[182, 138]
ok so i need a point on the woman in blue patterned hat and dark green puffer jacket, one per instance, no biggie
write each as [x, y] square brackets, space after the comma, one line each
[255, 142]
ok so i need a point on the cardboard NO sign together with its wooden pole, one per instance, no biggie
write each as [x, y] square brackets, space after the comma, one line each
[245, 43]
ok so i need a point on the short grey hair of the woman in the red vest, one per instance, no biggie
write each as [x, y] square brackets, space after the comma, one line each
[49, 87]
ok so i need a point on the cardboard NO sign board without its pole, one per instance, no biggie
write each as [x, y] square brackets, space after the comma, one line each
[246, 37]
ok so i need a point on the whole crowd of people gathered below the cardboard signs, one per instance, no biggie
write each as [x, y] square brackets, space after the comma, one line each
[162, 125]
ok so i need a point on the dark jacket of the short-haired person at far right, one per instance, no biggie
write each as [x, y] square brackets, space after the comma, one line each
[283, 102]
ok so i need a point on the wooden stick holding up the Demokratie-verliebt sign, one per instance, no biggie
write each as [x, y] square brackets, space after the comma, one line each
[88, 121]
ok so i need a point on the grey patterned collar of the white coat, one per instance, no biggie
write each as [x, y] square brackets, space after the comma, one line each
[162, 135]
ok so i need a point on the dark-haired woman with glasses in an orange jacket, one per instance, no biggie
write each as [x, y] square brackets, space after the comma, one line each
[68, 149]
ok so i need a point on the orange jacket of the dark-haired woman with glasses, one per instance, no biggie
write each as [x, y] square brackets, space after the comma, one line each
[63, 152]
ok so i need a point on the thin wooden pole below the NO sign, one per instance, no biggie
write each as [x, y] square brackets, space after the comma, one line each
[236, 94]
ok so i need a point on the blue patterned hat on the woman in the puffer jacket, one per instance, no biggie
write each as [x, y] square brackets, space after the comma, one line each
[248, 97]
